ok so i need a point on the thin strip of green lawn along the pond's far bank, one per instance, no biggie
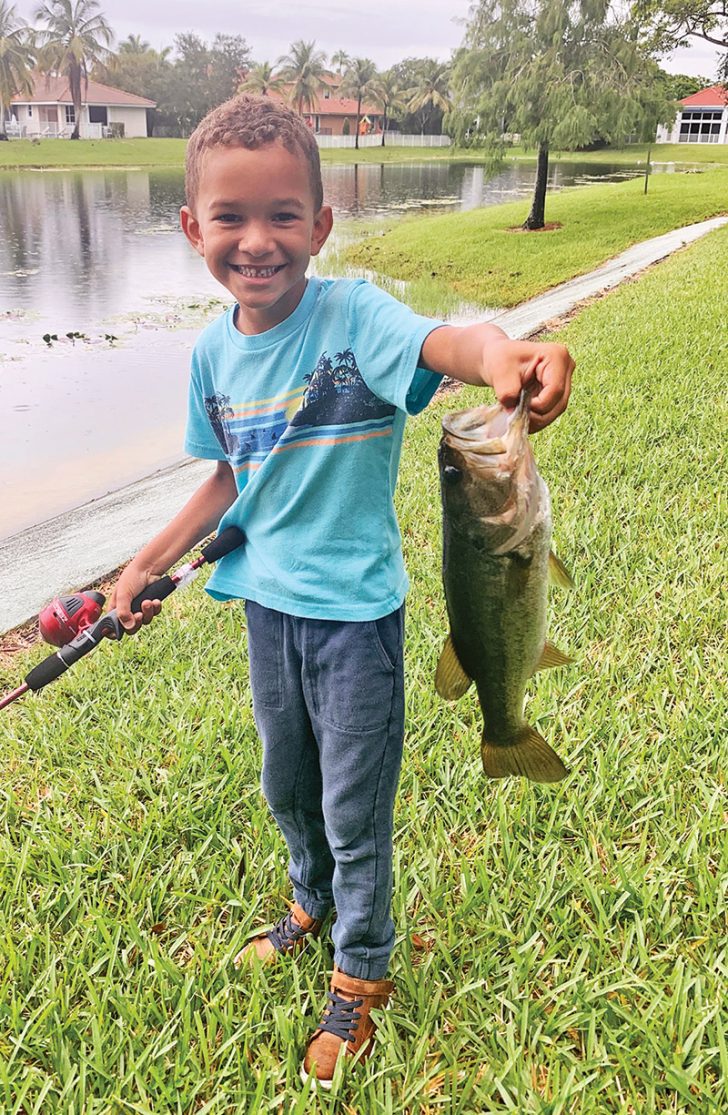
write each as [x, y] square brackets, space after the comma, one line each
[61, 153]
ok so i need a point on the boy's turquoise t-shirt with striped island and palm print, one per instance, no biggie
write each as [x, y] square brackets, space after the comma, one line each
[310, 416]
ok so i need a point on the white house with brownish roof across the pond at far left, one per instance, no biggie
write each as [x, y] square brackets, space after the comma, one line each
[50, 111]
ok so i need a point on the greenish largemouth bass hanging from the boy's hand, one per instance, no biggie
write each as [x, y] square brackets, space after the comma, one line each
[498, 560]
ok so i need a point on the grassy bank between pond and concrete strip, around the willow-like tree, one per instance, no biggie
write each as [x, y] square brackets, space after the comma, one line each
[486, 258]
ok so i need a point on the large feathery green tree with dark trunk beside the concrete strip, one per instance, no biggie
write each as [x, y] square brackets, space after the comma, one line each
[561, 74]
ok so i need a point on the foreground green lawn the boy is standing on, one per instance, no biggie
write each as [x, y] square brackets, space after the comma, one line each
[560, 951]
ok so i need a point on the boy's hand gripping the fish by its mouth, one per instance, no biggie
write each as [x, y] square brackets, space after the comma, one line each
[510, 366]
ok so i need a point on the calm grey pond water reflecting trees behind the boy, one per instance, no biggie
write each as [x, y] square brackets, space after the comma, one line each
[102, 298]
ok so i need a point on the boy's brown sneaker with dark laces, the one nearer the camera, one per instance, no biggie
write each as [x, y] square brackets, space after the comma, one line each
[346, 1027]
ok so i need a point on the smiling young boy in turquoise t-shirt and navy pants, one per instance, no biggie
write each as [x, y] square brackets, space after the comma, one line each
[299, 393]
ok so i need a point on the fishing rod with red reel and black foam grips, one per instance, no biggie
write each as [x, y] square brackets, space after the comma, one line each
[77, 617]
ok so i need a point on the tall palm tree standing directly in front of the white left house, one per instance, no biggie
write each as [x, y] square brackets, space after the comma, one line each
[76, 36]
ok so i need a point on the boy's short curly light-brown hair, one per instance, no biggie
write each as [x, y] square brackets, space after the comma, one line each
[253, 122]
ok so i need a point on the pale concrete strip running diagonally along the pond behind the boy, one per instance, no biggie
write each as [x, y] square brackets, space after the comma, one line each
[82, 546]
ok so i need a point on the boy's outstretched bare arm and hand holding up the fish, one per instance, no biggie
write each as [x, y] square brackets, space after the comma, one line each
[483, 354]
